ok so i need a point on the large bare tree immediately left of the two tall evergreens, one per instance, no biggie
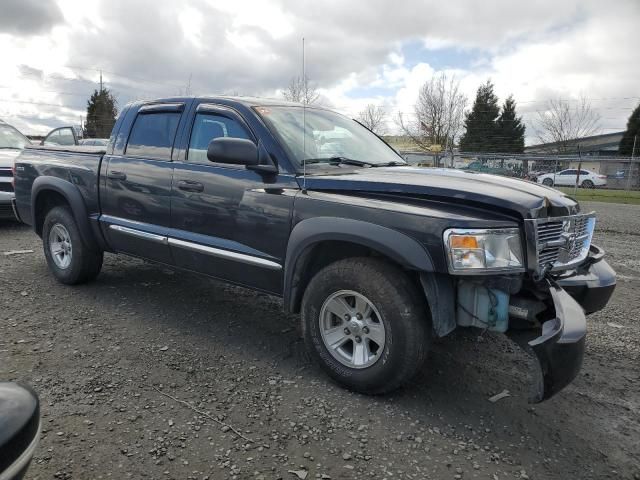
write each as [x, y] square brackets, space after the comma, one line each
[439, 113]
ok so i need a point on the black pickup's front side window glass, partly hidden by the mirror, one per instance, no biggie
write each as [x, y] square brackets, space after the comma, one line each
[207, 127]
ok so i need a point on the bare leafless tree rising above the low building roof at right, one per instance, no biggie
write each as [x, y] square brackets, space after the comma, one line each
[561, 123]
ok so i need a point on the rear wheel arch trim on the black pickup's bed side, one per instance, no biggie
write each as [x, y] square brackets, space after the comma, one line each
[49, 192]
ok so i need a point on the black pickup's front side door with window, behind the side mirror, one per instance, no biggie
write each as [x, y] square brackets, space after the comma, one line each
[228, 221]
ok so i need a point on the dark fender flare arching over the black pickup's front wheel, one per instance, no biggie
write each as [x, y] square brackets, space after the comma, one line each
[396, 245]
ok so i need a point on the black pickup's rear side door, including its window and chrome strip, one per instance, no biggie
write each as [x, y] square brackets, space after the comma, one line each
[136, 193]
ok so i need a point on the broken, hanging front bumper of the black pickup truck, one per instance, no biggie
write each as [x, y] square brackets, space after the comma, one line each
[559, 349]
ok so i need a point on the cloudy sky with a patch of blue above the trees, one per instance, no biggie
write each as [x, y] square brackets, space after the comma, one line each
[358, 52]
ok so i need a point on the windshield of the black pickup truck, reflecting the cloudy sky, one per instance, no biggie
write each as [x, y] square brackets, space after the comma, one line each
[328, 136]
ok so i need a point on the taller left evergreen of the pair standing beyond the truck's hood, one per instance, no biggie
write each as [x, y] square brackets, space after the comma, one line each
[482, 132]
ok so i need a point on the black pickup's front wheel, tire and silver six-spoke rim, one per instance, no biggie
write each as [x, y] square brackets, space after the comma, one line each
[383, 342]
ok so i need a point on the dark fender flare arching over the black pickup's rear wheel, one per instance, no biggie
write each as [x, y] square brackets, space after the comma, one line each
[73, 196]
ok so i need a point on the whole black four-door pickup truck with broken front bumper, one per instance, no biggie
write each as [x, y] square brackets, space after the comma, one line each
[300, 202]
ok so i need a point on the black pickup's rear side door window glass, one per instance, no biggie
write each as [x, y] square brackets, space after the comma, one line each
[152, 135]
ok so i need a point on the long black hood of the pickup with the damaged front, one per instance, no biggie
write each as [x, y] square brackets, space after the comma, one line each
[529, 200]
